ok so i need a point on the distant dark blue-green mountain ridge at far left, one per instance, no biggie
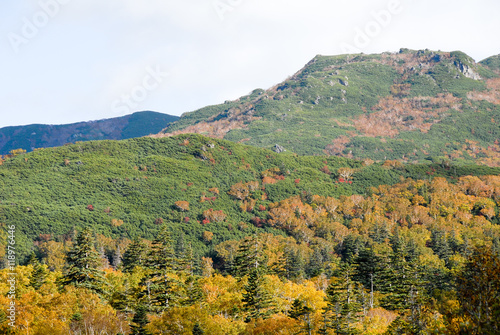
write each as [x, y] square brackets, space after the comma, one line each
[35, 136]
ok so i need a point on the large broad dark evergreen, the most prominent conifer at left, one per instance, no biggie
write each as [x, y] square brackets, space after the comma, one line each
[82, 265]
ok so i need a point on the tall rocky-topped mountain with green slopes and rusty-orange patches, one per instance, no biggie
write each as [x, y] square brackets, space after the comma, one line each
[412, 106]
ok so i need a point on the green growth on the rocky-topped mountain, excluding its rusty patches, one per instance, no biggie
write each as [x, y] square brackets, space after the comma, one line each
[309, 110]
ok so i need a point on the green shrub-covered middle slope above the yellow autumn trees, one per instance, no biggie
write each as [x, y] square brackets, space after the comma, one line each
[122, 188]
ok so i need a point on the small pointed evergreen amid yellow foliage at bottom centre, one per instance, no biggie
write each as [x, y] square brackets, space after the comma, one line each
[256, 301]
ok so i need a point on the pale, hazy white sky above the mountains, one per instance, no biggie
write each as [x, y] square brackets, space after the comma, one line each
[65, 61]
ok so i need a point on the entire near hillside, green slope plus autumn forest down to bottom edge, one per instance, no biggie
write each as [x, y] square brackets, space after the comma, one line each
[196, 235]
